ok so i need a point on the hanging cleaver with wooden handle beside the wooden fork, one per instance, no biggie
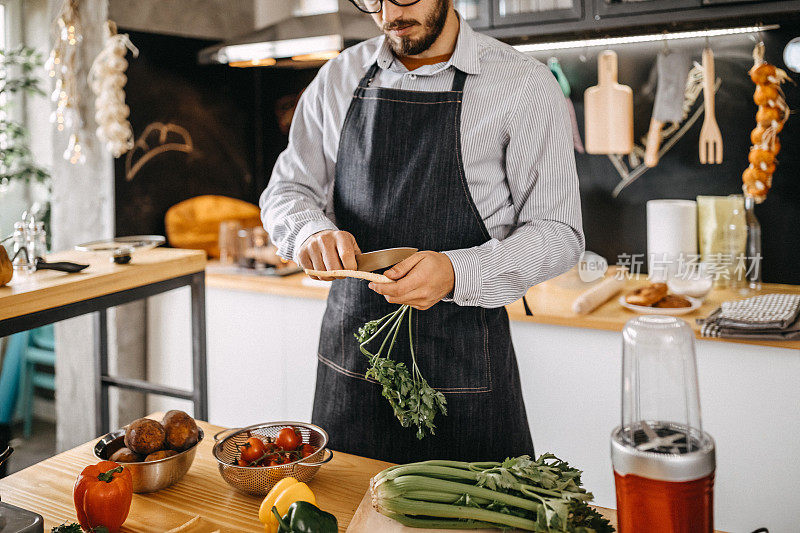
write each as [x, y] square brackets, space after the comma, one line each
[672, 68]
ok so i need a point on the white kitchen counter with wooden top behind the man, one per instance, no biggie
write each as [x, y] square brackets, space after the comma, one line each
[263, 335]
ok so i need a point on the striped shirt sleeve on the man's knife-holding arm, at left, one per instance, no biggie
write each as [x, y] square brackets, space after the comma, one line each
[293, 204]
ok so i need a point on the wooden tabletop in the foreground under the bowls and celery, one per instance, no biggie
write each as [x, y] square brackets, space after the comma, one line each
[46, 488]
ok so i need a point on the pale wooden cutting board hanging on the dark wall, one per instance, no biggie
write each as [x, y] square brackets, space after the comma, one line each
[608, 110]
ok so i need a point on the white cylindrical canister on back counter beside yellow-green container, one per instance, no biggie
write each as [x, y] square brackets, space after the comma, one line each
[671, 236]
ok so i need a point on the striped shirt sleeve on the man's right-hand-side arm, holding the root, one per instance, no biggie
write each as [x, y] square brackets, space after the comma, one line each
[547, 239]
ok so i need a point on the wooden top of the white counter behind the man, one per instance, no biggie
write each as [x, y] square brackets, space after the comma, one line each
[550, 302]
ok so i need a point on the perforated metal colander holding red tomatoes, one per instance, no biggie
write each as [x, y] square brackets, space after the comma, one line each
[258, 480]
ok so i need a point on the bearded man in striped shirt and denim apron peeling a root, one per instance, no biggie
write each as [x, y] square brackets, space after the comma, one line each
[439, 138]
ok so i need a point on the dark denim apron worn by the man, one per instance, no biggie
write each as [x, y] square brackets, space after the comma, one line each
[399, 181]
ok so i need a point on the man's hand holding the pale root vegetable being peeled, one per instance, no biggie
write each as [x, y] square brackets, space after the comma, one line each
[420, 280]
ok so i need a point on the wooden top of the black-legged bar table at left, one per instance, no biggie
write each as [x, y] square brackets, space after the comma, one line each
[47, 288]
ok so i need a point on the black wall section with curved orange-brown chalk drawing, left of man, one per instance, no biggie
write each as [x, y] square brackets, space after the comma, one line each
[194, 127]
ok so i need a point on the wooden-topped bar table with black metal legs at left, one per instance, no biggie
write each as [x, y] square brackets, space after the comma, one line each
[47, 296]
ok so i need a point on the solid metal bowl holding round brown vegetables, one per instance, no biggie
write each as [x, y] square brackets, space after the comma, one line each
[153, 475]
